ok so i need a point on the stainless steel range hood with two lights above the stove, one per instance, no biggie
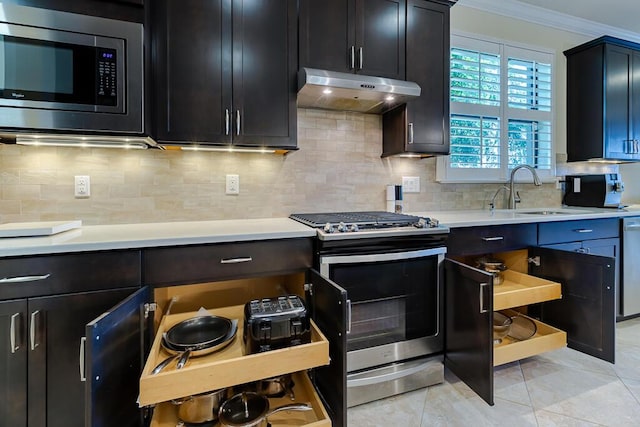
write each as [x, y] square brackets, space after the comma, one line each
[332, 90]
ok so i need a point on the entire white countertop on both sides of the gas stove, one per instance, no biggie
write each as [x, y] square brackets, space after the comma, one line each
[124, 236]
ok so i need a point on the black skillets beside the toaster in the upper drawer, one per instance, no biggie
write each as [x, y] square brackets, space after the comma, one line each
[196, 336]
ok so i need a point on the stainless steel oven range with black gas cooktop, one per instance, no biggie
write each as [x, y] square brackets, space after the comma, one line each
[392, 275]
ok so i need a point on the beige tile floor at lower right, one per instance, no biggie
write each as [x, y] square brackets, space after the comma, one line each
[558, 388]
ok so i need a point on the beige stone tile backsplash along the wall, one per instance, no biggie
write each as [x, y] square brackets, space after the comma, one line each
[337, 167]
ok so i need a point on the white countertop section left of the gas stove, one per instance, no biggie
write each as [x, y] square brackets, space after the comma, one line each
[106, 237]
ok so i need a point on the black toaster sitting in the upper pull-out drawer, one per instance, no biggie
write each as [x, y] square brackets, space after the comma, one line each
[272, 323]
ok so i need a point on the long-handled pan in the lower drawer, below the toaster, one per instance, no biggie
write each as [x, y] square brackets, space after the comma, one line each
[248, 409]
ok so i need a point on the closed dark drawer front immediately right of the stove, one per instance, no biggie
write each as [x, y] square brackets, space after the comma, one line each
[488, 239]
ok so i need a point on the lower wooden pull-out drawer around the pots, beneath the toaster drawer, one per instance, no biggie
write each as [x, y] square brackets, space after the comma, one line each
[166, 414]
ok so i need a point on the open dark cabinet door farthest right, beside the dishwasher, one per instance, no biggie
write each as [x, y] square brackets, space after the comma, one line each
[586, 310]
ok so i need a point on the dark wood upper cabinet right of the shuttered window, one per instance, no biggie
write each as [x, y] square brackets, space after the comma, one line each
[603, 100]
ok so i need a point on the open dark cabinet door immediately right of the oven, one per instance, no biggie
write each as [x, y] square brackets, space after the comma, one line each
[469, 326]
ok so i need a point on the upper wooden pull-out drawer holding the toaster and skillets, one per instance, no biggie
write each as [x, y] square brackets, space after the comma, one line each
[226, 367]
